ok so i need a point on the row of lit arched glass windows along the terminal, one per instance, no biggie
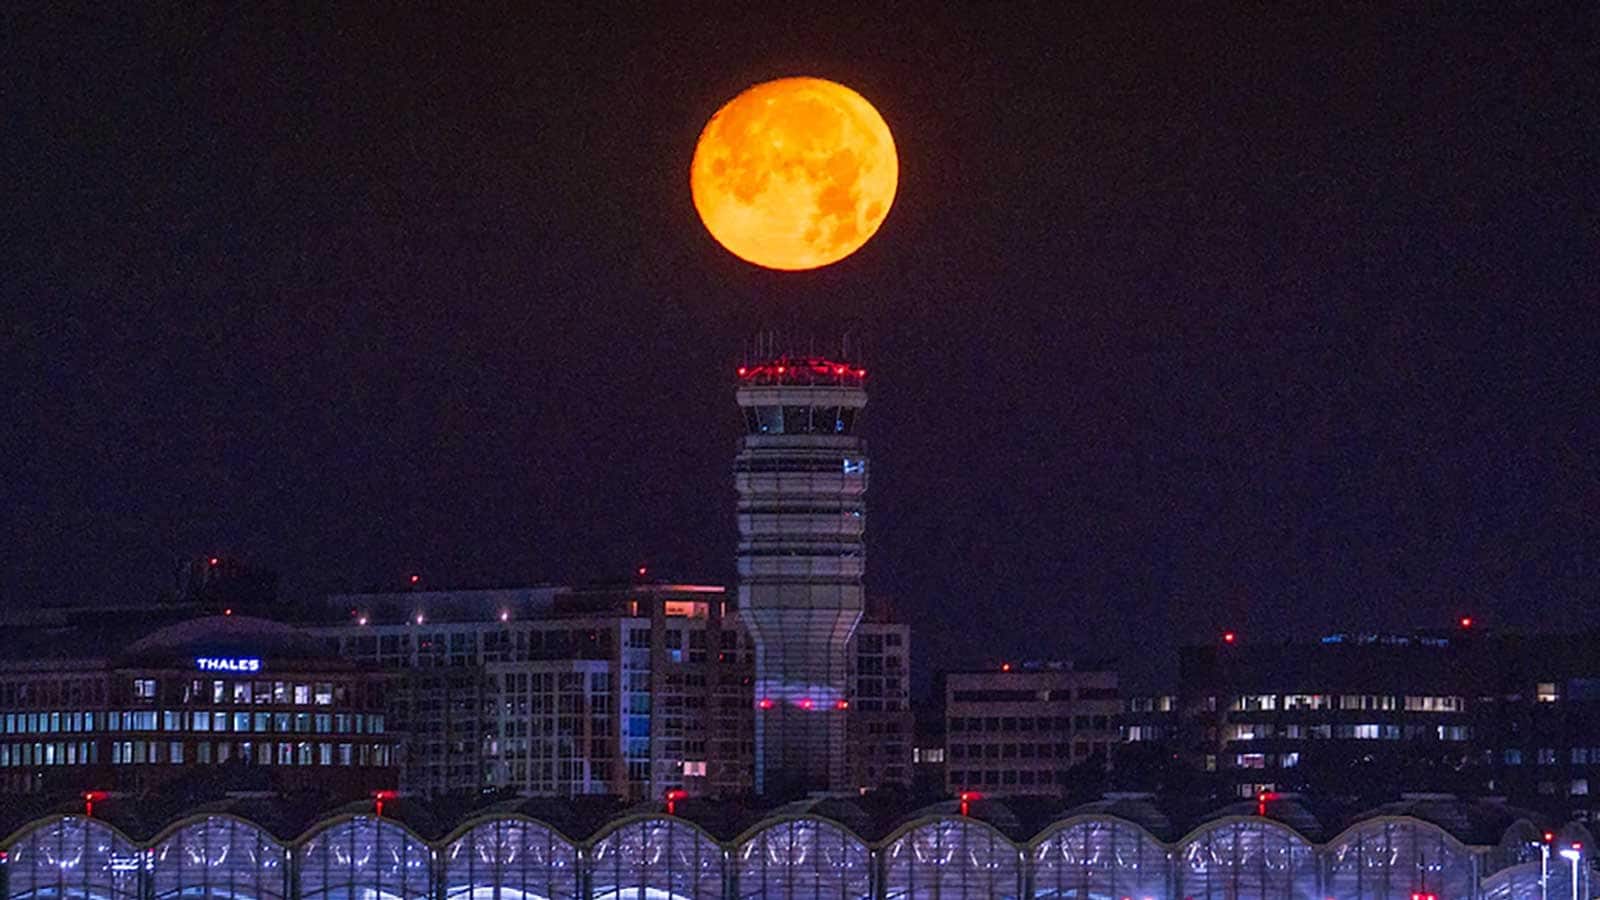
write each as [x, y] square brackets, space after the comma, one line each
[802, 858]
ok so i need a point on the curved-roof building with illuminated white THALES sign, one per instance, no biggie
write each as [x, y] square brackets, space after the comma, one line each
[236, 702]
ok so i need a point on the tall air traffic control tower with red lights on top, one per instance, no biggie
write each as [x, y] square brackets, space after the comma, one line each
[802, 481]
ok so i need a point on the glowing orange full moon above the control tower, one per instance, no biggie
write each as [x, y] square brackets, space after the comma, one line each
[794, 174]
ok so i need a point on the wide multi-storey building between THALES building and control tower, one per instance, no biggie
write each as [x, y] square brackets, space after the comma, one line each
[623, 689]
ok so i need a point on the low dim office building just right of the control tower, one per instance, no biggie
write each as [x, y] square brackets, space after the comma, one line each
[1025, 728]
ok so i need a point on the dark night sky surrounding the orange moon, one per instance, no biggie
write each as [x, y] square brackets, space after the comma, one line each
[1180, 321]
